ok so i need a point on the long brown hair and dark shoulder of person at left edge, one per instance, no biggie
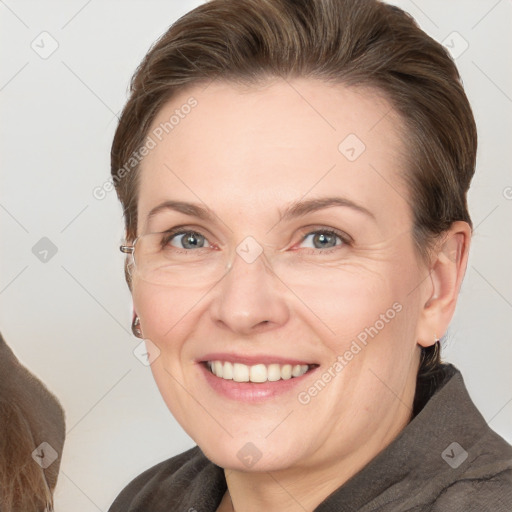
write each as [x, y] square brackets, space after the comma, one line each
[32, 432]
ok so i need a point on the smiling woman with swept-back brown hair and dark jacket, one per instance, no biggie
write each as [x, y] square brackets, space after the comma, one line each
[294, 177]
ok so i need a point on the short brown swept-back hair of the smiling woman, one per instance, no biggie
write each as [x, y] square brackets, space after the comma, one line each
[353, 42]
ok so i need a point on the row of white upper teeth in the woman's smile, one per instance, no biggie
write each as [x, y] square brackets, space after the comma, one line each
[257, 373]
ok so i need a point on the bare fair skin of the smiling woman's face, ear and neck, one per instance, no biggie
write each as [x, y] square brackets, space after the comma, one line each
[248, 153]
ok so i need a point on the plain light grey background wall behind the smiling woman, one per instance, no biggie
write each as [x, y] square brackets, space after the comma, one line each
[68, 319]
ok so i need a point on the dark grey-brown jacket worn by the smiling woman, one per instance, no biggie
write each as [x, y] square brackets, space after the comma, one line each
[414, 473]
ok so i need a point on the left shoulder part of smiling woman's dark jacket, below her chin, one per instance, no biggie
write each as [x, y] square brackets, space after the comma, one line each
[174, 484]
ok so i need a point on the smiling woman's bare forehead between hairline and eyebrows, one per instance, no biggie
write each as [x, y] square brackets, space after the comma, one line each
[256, 146]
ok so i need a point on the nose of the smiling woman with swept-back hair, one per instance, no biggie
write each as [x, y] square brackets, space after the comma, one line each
[250, 298]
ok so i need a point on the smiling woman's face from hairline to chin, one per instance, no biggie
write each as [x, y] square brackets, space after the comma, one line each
[305, 262]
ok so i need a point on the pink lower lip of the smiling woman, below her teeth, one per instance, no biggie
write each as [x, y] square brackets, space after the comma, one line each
[252, 391]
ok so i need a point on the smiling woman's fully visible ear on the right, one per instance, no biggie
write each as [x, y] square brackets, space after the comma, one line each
[447, 268]
